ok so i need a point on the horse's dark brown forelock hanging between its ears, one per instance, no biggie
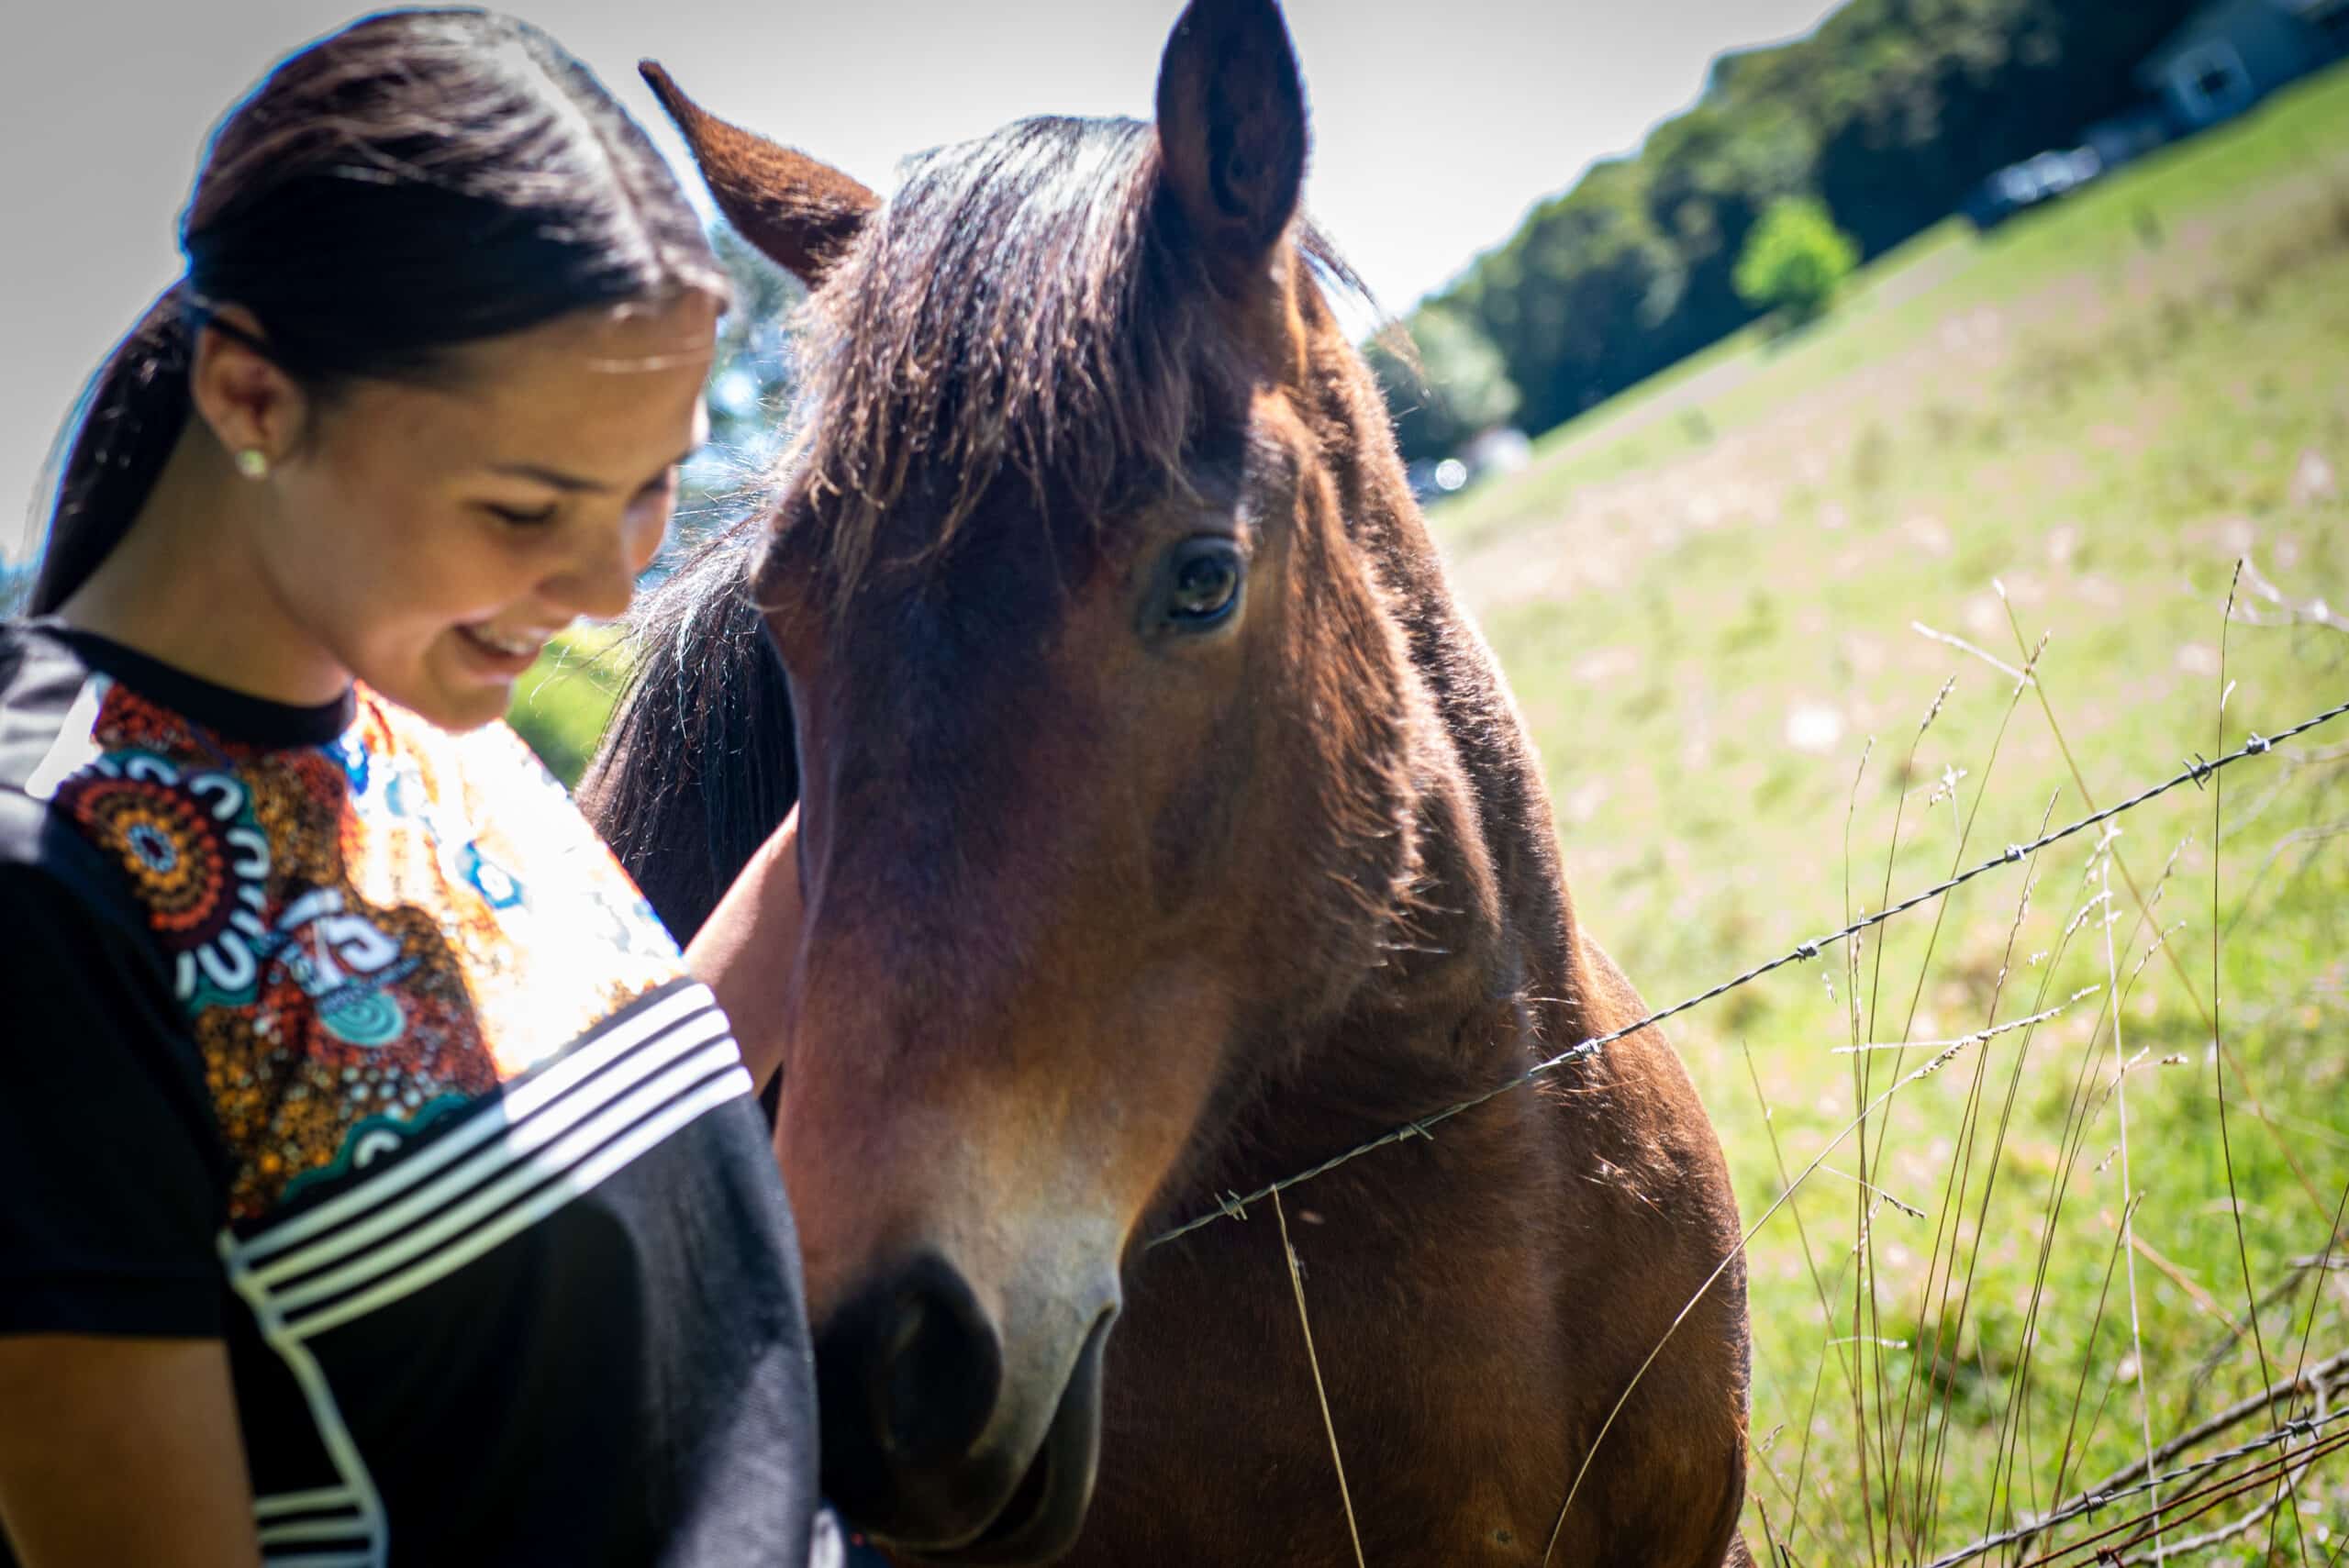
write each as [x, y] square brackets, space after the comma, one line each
[1016, 311]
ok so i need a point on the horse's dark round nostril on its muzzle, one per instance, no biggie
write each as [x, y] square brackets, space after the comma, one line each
[938, 1372]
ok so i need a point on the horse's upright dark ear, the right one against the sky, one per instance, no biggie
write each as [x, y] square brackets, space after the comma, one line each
[1232, 133]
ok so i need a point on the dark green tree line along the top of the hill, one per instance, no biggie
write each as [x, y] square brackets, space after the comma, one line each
[1890, 114]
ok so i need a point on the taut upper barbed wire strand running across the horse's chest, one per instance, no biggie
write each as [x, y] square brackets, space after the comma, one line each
[1234, 1205]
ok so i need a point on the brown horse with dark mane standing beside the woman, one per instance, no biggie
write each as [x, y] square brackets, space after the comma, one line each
[1166, 827]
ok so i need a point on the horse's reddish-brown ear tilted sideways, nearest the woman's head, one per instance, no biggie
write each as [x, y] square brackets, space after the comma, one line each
[781, 201]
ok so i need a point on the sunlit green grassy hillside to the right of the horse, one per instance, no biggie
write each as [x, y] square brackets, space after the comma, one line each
[1704, 619]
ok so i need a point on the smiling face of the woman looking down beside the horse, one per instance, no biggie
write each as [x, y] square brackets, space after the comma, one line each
[431, 539]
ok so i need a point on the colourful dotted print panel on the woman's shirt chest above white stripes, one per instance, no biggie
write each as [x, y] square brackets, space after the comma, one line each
[349, 926]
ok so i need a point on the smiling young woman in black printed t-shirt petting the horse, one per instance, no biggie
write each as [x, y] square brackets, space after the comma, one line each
[377, 1180]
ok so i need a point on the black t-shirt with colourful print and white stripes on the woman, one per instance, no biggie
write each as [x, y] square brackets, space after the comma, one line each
[344, 1041]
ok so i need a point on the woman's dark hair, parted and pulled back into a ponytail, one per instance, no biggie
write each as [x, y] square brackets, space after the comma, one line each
[415, 182]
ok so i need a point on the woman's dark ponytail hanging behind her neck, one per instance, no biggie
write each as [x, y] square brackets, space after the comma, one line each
[130, 424]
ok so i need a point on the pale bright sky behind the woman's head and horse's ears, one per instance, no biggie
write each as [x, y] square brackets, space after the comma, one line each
[1436, 123]
